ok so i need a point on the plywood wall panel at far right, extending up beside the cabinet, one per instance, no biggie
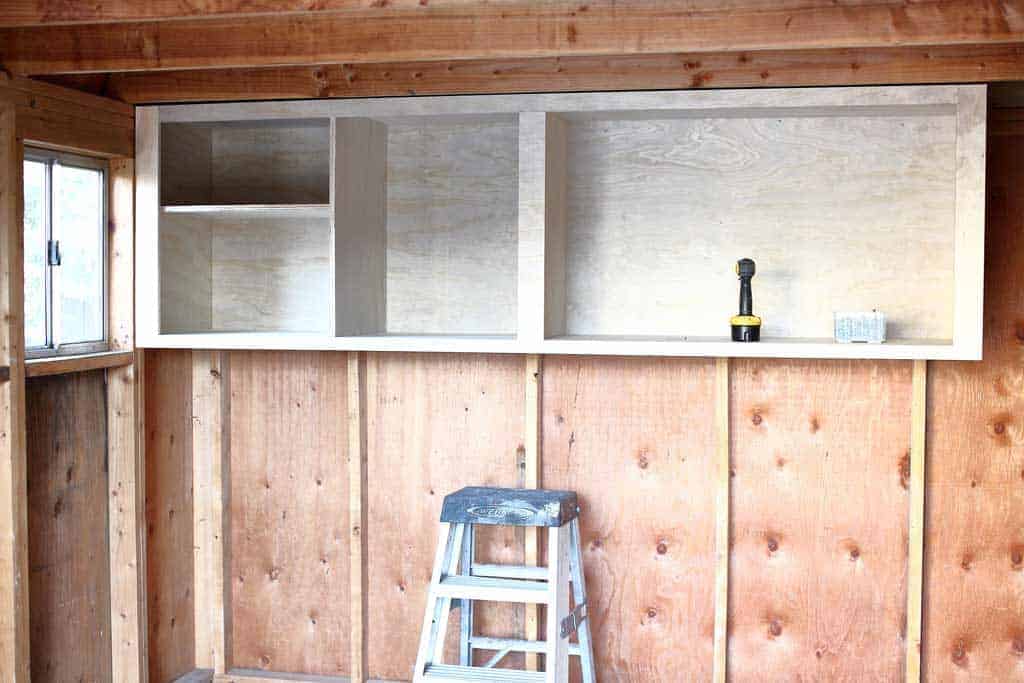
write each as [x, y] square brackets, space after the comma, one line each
[974, 548]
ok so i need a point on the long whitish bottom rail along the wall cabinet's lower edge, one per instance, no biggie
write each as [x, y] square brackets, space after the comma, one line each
[605, 346]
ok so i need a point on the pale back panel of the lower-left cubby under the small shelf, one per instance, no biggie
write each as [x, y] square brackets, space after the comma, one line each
[271, 272]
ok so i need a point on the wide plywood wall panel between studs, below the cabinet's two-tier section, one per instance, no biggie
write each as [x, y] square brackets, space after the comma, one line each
[290, 536]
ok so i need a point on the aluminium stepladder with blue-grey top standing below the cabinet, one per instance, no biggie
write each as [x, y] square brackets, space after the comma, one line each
[458, 581]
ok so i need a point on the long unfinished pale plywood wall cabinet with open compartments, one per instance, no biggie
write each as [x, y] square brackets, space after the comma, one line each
[576, 224]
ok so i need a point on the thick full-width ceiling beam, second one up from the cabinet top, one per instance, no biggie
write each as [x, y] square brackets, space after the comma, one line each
[516, 29]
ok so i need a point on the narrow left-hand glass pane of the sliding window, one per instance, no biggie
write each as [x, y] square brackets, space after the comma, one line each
[35, 254]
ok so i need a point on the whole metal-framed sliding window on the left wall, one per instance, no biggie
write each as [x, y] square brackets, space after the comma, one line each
[65, 254]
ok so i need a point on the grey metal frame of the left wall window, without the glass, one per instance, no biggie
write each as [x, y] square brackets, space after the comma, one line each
[54, 348]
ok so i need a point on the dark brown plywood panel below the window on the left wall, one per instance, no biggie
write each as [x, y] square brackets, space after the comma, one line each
[69, 556]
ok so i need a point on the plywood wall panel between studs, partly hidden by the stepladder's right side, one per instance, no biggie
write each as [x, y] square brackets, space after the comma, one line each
[635, 439]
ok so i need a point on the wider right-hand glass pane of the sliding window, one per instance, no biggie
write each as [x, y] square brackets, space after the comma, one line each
[78, 226]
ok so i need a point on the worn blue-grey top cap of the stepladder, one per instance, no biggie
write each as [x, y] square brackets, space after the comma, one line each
[509, 507]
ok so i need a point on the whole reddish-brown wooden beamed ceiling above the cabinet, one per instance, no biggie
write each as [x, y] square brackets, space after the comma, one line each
[168, 51]
